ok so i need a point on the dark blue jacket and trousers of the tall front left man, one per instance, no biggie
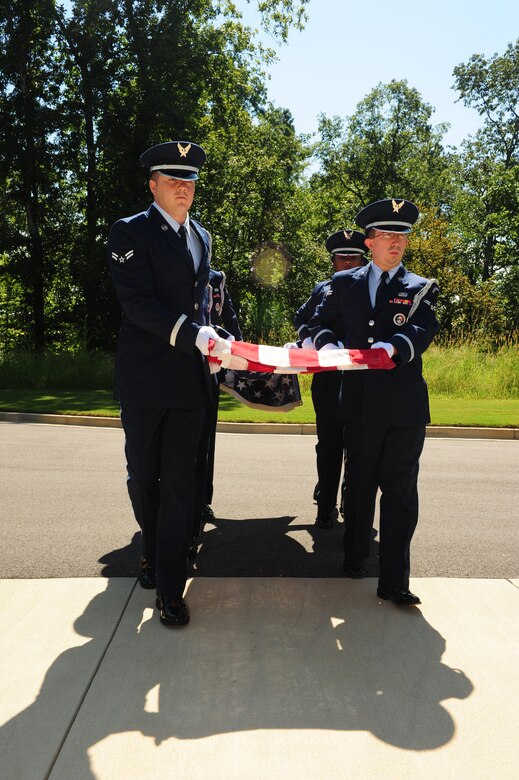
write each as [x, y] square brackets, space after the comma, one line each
[162, 381]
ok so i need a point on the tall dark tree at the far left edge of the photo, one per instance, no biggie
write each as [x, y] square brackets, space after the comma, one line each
[30, 163]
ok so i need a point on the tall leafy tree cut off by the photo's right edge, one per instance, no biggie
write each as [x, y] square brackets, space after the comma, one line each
[486, 208]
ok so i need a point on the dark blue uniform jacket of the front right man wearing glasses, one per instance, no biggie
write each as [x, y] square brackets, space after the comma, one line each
[406, 319]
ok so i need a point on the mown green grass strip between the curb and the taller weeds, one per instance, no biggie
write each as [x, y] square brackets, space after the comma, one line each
[500, 413]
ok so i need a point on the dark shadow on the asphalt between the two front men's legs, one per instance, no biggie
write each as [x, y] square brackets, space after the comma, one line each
[273, 547]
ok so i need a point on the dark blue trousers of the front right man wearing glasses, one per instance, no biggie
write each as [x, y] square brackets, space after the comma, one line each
[385, 457]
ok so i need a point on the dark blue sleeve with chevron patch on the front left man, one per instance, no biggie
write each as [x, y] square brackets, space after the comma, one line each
[135, 288]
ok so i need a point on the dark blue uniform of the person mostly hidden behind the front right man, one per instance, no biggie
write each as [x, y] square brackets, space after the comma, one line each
[325, 399]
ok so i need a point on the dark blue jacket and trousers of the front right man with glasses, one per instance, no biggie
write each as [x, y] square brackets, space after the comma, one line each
[384, 412]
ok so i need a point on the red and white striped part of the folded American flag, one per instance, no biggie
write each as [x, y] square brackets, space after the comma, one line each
[243, 356]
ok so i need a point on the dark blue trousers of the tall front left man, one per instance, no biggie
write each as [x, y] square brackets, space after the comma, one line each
[161, 447]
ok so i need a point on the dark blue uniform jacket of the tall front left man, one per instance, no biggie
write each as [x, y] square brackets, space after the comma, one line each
[162, 298]
